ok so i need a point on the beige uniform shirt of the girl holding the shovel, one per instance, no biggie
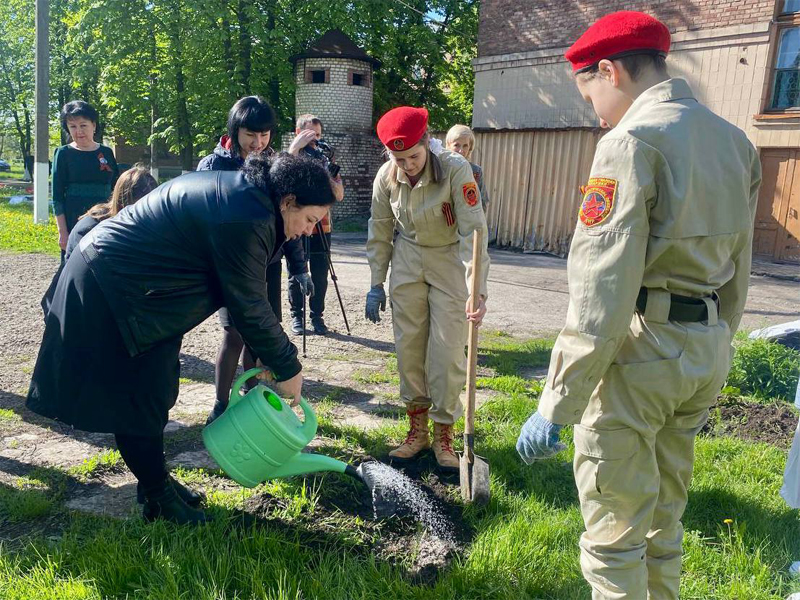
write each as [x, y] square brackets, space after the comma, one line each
[429, 214]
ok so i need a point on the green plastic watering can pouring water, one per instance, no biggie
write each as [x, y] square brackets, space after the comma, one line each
[259, 437]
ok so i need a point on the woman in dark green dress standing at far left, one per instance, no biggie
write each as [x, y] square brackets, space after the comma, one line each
[84, 171]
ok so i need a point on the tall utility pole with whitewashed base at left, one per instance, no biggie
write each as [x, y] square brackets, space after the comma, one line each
[41, 167]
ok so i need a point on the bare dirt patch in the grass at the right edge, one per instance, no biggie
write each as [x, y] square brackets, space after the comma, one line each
[754, 422]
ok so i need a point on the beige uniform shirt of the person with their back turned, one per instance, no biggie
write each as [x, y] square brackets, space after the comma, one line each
[670, 204]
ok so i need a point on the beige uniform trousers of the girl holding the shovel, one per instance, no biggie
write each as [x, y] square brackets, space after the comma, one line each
[429, 293]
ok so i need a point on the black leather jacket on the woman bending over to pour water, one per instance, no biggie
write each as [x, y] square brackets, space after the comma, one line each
[194, 244]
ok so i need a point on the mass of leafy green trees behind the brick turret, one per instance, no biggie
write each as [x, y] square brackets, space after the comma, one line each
[167, 71]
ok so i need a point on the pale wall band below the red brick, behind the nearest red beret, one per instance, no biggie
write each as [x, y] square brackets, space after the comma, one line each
[726, 67]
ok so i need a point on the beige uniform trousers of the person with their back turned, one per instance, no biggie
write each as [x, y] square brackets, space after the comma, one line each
[634, 451]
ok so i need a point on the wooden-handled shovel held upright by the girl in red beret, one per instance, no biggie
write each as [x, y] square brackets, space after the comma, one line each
[473, 469]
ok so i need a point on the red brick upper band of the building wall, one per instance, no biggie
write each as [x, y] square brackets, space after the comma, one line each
[512, 26]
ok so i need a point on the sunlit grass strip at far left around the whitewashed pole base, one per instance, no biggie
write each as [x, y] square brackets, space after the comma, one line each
[18, 233]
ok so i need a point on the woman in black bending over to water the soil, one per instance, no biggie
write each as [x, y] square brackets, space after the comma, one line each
[141, 280]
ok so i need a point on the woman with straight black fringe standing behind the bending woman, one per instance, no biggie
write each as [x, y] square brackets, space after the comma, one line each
[250, 124]
